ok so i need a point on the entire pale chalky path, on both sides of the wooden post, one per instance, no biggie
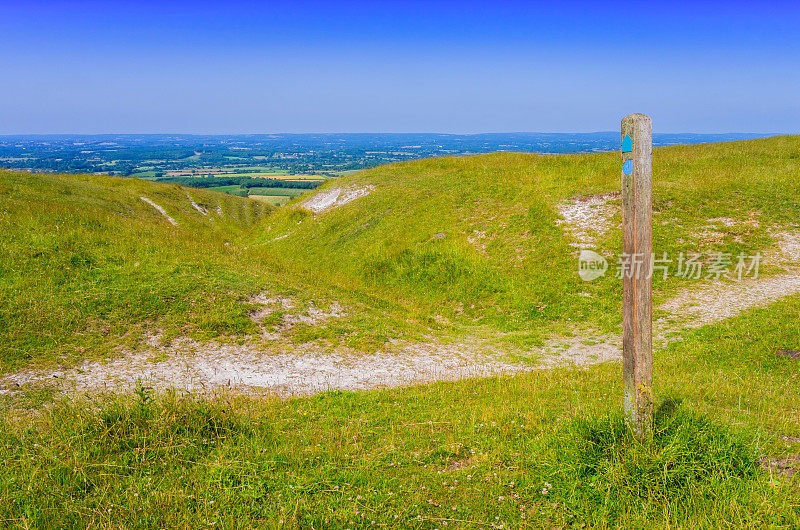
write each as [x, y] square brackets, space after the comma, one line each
[289, 369]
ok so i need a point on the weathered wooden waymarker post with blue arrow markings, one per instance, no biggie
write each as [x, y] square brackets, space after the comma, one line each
[637, 292]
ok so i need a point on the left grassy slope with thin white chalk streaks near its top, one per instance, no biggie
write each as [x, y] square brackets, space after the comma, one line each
[86, 264]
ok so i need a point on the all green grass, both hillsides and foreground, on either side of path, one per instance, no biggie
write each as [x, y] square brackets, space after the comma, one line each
[87, 266]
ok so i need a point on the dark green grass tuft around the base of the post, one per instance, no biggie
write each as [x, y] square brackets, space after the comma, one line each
[605, 473]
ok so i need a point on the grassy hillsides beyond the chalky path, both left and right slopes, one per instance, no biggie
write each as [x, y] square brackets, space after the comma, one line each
[465, 245]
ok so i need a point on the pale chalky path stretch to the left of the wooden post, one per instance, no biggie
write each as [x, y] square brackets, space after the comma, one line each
[298, 370]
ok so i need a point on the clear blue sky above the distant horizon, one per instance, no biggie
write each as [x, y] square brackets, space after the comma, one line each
[428, 66]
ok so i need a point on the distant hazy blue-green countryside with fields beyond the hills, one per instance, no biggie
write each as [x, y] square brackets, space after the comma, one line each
[276, 167]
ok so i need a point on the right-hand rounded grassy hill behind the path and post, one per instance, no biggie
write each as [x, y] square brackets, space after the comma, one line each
[524, 282]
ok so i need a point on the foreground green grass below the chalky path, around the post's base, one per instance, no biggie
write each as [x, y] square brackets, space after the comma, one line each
[543, 449]
